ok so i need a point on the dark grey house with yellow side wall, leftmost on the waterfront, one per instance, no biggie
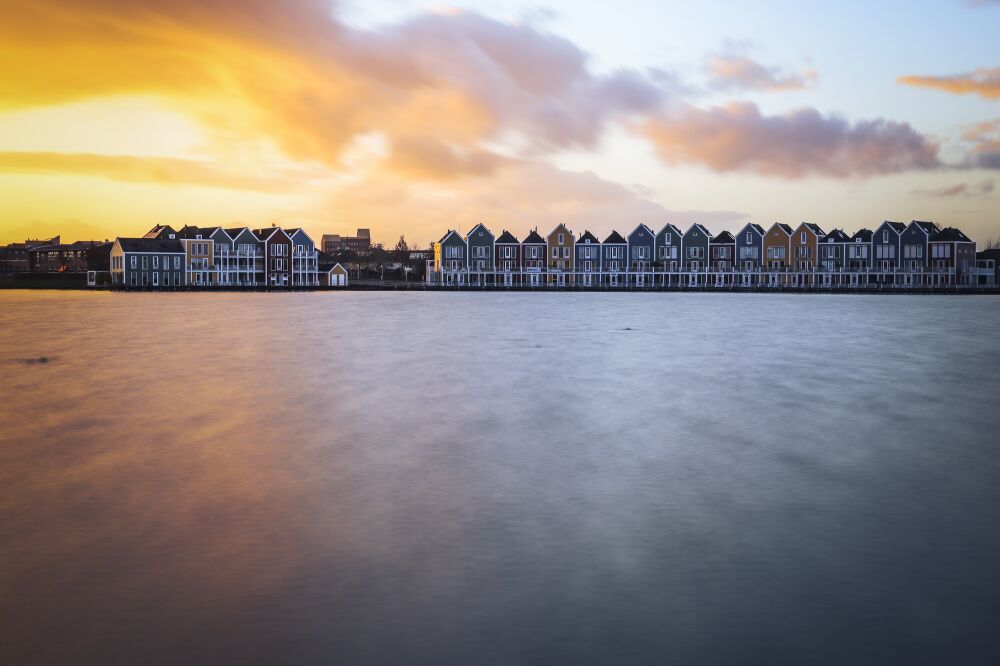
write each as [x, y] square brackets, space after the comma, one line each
[150, 263]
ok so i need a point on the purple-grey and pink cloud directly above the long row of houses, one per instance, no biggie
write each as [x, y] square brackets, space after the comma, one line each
[738, 137]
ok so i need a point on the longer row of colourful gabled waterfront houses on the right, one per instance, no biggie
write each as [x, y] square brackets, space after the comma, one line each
[918, 254]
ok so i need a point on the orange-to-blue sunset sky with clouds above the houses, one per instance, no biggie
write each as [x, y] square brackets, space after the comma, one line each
[412, 118]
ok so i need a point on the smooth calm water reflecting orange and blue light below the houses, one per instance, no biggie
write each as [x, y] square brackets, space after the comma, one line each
[381, 478]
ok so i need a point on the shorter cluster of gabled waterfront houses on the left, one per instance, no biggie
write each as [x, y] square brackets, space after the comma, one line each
[218, 257]
